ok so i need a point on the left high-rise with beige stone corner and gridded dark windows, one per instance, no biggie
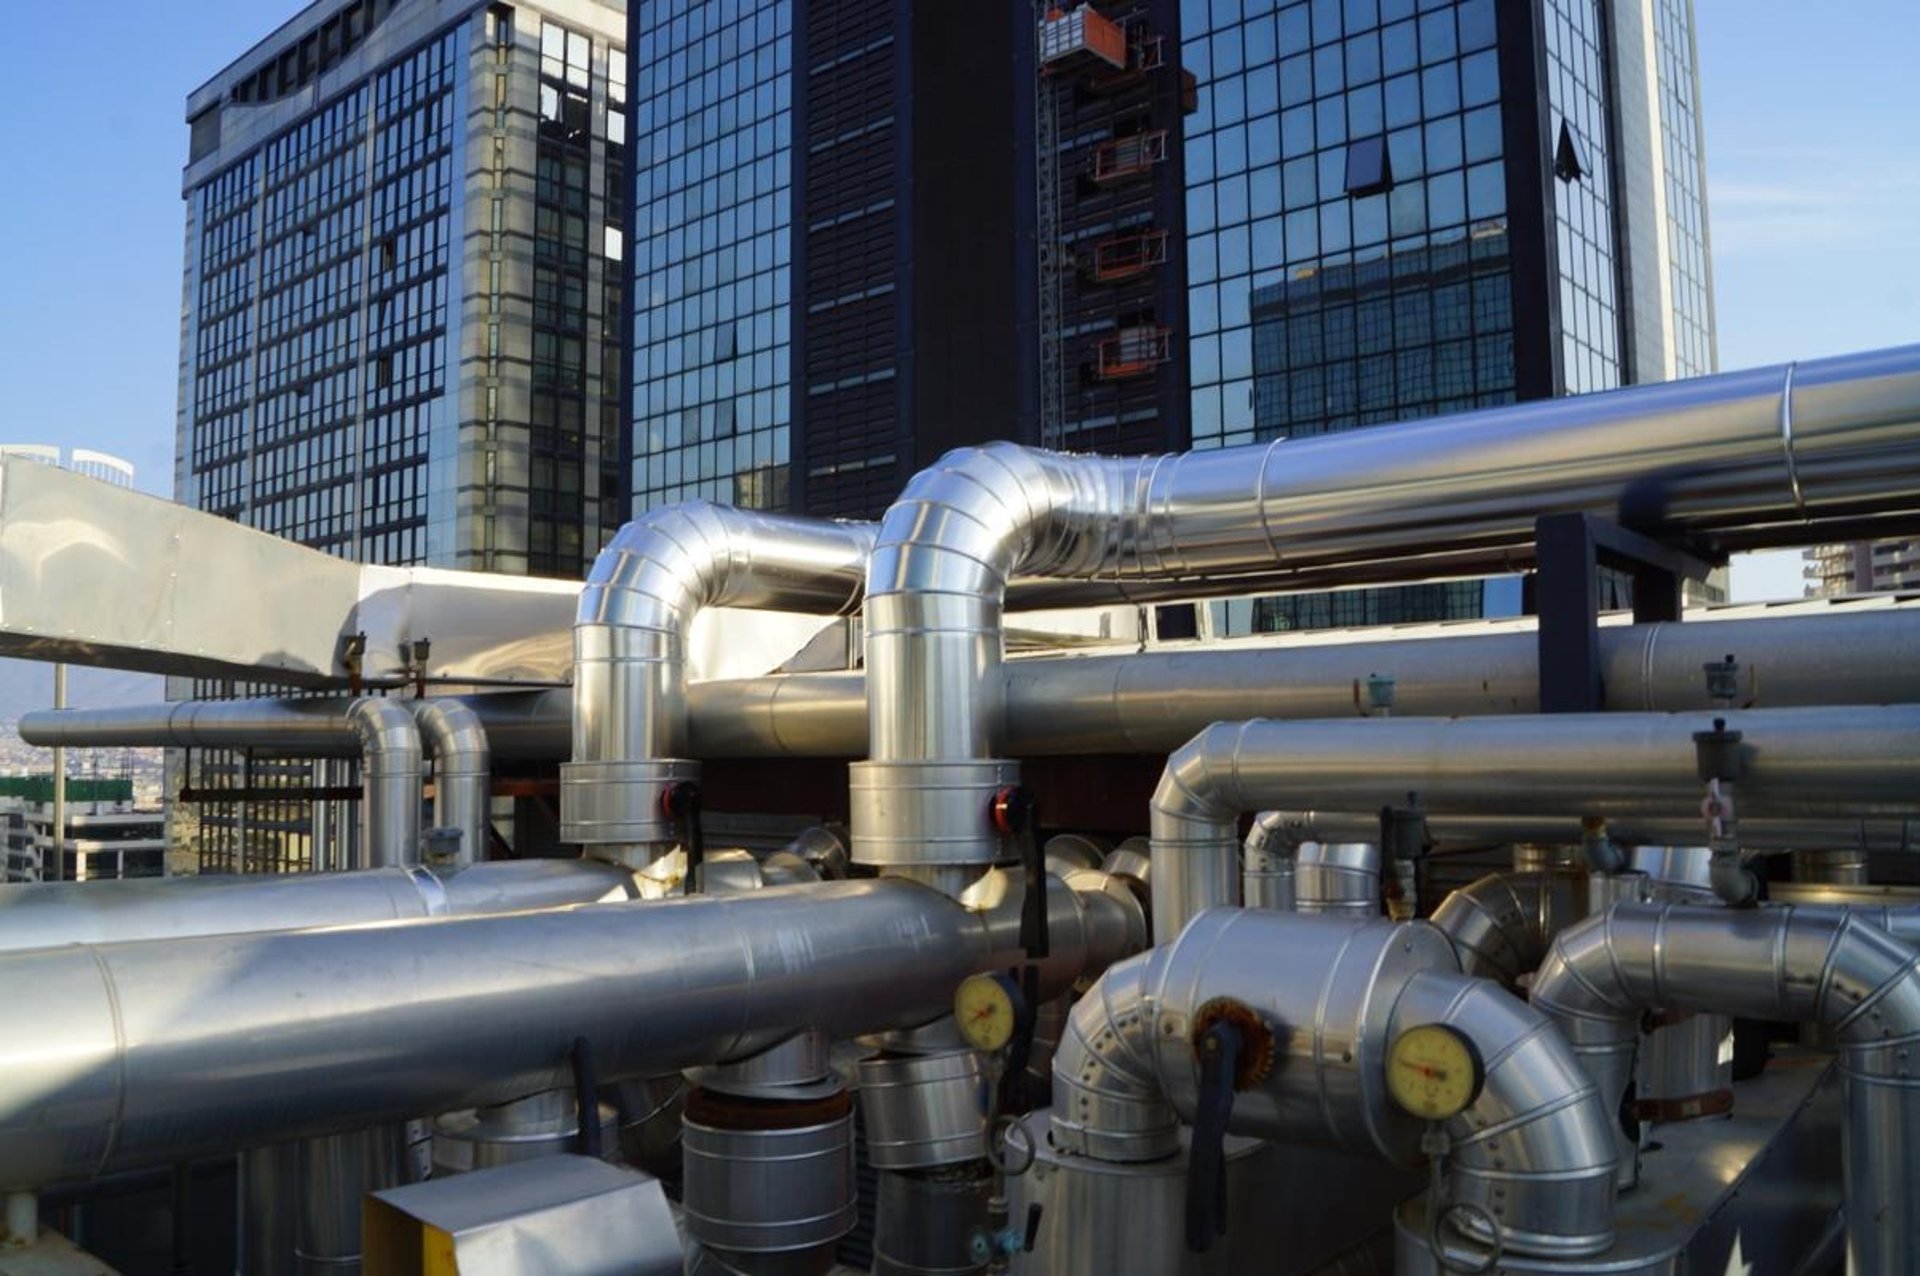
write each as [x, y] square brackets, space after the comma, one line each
[402, 296]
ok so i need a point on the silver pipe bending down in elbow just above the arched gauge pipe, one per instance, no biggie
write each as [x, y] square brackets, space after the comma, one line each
[1800, 763]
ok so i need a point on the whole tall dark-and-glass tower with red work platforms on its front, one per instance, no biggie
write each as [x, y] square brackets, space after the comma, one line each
[1268, 218]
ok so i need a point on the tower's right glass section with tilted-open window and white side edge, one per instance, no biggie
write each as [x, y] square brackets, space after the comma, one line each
[1403, 208]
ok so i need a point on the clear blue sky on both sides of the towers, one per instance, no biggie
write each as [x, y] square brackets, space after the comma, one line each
[1813, 160]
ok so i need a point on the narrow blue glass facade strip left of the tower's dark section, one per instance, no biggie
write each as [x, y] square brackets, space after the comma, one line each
[711, 254]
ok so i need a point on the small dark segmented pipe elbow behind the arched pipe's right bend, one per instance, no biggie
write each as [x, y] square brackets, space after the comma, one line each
[1504, 922]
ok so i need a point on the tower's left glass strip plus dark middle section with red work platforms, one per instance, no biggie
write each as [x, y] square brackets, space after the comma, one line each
[836, 245]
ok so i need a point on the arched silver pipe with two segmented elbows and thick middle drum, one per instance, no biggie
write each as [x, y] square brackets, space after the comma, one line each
[1535, 1146]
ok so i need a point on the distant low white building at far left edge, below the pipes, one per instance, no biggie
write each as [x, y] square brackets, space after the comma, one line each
[107, 836]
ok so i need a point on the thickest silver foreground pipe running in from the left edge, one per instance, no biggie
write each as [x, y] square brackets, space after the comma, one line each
[133, 1051]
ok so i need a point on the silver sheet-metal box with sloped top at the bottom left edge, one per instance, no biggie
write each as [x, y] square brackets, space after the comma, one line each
[558, 1217]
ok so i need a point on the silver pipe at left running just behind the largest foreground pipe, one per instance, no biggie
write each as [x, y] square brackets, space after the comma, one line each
[132, 910]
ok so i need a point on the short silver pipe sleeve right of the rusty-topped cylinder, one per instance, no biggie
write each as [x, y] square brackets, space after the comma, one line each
[923, 1112]
